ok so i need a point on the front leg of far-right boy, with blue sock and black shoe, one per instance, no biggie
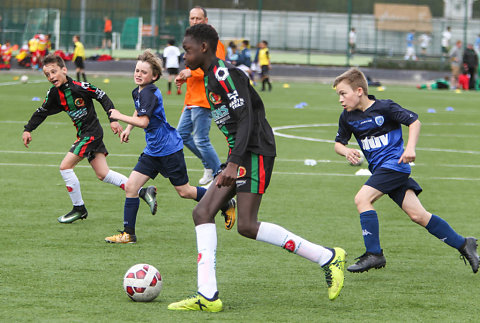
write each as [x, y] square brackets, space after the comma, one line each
[373, 256]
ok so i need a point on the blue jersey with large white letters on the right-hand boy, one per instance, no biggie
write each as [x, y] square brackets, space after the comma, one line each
[378, 131]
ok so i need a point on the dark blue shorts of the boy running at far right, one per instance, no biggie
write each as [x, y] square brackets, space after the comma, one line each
[393, 183]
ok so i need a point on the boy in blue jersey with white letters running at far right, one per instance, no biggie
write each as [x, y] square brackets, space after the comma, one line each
[376, 124]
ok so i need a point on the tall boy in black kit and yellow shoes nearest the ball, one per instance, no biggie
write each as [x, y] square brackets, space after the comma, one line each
[239, 113]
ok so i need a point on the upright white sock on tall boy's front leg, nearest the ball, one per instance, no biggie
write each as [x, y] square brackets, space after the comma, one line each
[207, 248]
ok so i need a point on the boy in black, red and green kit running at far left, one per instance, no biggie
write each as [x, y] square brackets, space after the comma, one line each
[76, 99]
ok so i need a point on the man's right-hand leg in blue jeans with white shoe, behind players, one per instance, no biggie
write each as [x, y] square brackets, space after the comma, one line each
[201, 121]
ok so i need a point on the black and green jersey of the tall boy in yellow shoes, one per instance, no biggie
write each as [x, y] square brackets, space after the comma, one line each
[238, 111]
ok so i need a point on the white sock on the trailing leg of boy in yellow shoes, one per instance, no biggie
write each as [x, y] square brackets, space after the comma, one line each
[278, 236]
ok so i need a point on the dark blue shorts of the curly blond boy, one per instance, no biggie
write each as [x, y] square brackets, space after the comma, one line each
[171, 166]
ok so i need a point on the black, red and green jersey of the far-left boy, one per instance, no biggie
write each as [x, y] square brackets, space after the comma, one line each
[76, 99]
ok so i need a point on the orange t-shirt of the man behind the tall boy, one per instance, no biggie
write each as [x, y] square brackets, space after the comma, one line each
[196, 95]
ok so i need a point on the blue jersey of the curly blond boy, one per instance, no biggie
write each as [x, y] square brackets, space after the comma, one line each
[162, 139]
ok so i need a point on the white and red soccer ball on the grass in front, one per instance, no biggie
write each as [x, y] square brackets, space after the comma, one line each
[142, 283]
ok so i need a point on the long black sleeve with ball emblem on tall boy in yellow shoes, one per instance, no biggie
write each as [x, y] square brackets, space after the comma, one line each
[235, 85]
